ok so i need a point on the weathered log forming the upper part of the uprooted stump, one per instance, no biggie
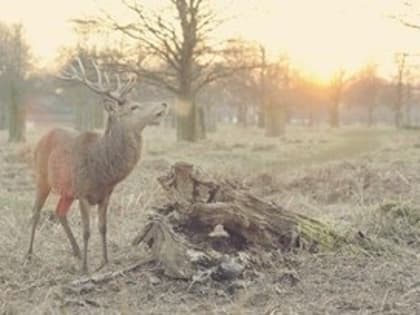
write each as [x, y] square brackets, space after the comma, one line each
[207, 203]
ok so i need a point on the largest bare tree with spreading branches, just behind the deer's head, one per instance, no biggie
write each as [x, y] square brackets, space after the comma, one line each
[180, 55]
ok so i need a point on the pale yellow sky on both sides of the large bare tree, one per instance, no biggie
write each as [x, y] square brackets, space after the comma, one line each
[318, 36]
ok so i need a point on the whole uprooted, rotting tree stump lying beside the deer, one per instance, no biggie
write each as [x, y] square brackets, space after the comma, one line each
[217, 228]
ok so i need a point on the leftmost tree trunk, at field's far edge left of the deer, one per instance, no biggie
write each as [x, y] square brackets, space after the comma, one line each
[17, 116]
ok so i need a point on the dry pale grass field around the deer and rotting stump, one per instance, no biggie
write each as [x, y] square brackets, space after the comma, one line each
[359, 180]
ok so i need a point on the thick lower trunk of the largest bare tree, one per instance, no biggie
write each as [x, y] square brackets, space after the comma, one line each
[190, 119]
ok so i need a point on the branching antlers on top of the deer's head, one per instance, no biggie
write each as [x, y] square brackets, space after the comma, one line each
[103, 84]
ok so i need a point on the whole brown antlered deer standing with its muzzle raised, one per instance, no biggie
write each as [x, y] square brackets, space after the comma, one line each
[88, 166]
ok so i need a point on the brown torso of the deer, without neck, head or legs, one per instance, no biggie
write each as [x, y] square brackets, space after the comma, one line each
[88, 165]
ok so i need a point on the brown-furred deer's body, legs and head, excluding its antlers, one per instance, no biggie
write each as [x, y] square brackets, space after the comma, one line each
[87, 167]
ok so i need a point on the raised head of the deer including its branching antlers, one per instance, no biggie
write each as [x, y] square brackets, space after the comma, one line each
[120, 109]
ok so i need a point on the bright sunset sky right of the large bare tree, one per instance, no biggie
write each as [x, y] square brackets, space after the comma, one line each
[323, 36]
